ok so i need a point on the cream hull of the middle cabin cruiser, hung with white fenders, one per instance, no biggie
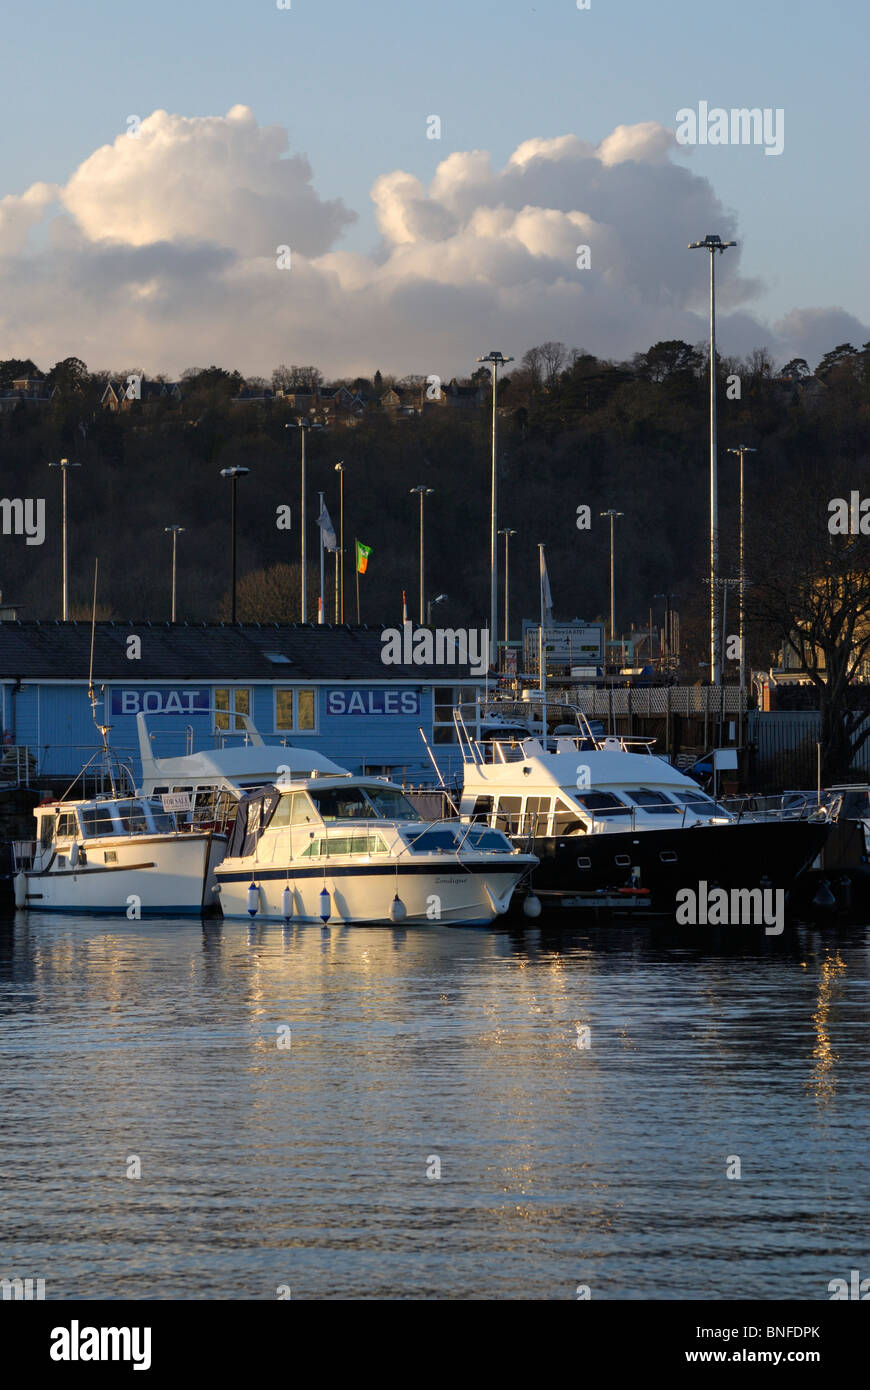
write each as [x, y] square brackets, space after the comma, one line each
[469, 896]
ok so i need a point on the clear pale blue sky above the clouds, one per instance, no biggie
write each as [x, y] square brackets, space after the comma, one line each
[355, 83]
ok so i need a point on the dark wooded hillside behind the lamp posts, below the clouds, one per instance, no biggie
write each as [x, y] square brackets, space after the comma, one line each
[575, 432]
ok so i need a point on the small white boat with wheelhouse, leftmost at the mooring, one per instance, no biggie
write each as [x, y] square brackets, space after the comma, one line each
[117, 854]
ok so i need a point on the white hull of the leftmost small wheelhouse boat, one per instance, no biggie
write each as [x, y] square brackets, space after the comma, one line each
[149, 876]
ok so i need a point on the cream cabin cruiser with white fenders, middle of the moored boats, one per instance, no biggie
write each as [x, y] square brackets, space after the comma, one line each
[354, 850]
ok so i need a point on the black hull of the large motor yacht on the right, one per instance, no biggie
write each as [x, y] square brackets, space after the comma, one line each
[573, 871]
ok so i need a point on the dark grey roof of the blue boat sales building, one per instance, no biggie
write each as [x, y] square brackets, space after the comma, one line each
[206, 653]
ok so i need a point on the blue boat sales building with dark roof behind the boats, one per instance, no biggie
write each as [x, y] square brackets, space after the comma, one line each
[301, 685]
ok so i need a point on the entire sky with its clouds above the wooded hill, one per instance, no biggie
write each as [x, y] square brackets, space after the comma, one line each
[158, 159]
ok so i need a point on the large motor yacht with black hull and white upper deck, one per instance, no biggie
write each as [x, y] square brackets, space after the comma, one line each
[618, 828]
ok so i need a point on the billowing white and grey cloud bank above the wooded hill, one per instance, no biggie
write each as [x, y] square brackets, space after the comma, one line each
[165, 250]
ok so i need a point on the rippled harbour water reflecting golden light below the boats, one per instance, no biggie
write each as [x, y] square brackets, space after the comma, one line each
[306, 1166]
